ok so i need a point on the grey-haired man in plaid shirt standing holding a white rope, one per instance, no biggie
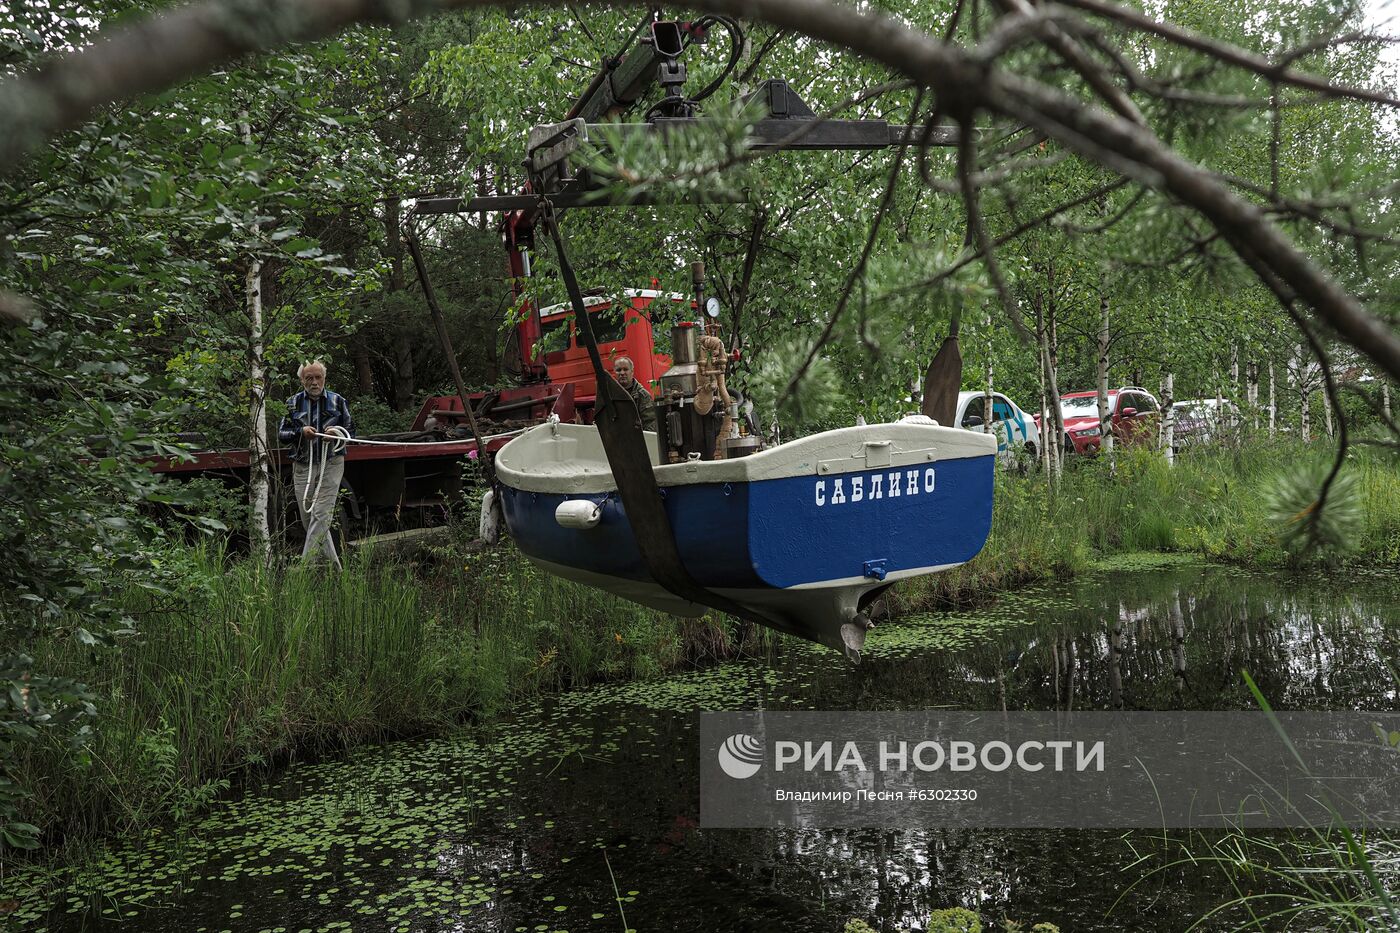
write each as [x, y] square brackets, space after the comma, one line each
[316, 463]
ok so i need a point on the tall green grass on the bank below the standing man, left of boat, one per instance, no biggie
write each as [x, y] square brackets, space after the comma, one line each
[253, 666]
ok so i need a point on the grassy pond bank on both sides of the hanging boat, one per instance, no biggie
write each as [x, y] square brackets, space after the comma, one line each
[248, 668]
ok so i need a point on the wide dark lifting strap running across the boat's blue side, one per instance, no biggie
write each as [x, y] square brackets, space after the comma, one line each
[619, 428]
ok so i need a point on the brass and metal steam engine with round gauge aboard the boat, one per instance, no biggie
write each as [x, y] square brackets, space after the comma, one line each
[698, 415]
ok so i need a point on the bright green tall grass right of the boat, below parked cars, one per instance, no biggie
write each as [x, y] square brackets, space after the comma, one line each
[1213, 502]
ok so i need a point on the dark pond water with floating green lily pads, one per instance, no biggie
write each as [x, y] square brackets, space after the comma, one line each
[580, 813]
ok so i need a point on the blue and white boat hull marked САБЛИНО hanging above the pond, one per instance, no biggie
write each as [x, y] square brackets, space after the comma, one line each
[804, 534]
